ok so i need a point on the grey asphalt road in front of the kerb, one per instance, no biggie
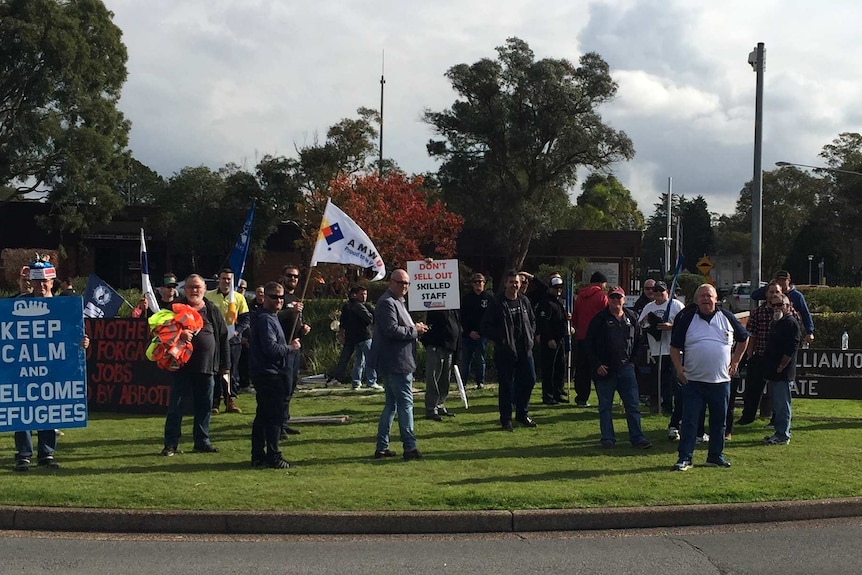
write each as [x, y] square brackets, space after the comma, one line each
[805, 547]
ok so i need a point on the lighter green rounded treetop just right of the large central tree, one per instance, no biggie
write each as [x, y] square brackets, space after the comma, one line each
[605, 204]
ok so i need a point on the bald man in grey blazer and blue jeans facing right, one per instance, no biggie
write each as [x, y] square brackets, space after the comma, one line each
[393, 355]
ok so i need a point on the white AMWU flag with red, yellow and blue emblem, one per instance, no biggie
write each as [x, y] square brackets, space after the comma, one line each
[341, 241]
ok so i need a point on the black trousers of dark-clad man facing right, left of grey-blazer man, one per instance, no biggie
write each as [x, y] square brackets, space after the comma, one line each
[269, 416]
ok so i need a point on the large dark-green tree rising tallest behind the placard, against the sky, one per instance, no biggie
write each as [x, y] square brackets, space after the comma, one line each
[515, 137]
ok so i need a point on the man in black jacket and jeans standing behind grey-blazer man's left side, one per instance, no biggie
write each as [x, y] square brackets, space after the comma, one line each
[355, 326]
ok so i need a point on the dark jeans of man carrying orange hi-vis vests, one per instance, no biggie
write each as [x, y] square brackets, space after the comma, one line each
[198, 389]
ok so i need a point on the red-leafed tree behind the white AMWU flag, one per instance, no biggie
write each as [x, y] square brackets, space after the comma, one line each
[397, 214]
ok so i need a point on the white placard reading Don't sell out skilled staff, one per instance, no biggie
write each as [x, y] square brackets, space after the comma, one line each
[433, 285]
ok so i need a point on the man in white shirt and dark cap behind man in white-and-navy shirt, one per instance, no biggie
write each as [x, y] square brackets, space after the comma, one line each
[657, 320]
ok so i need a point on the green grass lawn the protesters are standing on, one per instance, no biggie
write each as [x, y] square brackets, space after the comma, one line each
[469, 463]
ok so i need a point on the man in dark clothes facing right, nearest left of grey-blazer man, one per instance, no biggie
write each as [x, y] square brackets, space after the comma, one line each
[269, 351]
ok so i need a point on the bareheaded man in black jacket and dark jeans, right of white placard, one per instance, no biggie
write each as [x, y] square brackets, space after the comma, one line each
[510, 323]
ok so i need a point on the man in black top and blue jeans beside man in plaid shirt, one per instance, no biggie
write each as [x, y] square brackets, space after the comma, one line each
[780, 361]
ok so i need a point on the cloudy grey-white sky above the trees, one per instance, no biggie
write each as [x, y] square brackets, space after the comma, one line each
[218, 81]
